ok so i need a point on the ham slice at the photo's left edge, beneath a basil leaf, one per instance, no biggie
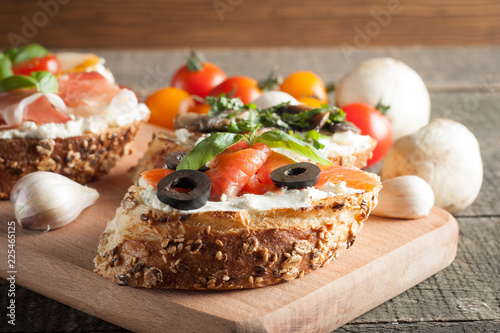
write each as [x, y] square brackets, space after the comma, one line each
[41, 108]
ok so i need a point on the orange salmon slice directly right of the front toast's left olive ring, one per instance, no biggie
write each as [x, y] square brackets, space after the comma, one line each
[232, 169]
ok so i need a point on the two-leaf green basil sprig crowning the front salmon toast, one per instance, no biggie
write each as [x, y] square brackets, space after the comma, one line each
[216, 143]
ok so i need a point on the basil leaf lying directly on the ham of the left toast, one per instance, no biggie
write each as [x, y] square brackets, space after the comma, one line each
[43, 81]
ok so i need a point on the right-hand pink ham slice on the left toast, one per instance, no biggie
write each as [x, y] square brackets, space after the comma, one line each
[89, 89]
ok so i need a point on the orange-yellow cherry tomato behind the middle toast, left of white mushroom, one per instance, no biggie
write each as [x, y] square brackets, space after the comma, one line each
[305, 84]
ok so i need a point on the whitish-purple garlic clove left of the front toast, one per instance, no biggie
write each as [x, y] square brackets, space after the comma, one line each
[46, 200]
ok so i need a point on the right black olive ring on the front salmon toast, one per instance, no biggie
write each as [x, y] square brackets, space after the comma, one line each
[296, 175]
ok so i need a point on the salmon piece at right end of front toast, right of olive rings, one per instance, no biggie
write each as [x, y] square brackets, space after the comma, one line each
[354, 178]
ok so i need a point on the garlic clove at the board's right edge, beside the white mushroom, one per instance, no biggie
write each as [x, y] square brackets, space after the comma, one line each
[406, 197]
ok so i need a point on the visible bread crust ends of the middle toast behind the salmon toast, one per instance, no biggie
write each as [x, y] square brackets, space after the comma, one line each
[164, 143]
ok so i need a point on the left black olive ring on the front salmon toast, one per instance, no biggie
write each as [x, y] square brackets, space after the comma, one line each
[184, 189]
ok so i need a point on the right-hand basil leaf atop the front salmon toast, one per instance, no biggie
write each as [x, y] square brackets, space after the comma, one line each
[279, 139]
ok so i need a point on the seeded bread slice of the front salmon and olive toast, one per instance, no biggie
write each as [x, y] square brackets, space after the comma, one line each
[144, 247]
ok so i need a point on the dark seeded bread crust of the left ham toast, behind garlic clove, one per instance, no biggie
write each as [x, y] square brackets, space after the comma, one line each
[81, 158]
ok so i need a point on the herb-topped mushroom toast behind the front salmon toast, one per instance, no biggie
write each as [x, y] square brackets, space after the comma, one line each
[325, 128]
